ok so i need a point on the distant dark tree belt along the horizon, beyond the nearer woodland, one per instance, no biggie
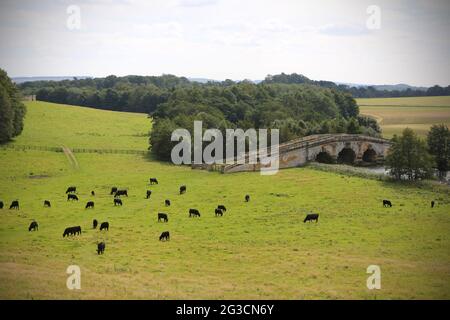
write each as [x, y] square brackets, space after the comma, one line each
[145, 93]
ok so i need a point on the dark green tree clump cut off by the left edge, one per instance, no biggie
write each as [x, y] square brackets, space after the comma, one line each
[12, 110]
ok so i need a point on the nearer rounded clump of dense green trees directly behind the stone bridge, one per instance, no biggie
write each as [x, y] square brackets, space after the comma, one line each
[296, 110]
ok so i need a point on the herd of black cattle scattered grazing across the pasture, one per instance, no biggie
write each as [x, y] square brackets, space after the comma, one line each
[76, 230]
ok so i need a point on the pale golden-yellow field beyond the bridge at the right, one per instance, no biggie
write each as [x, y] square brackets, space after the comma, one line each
[417, 113]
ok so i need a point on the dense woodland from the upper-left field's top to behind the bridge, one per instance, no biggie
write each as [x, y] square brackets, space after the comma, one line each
[297, 109]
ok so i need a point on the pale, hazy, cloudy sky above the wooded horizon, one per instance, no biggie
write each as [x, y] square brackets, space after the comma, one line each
[351, 41]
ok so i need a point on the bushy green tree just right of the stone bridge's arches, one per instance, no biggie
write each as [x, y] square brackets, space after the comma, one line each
[408, 157]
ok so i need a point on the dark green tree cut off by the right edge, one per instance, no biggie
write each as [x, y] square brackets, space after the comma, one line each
[439, 145]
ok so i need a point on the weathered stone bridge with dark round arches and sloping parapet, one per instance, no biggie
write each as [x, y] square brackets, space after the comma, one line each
[340, 148]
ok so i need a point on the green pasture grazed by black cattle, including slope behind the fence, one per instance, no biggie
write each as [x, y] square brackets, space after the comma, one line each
[257, 250]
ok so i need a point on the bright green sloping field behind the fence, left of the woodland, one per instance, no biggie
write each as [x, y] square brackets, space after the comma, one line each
[50, 124]
